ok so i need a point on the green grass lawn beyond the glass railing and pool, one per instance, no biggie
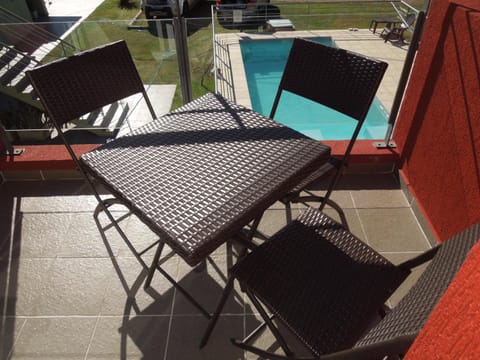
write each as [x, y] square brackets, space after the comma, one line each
[155, 57]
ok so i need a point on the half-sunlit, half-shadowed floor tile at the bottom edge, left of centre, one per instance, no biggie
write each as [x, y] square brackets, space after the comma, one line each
[135, 337]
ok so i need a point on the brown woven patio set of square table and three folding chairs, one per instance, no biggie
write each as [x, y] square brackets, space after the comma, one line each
[204, 174]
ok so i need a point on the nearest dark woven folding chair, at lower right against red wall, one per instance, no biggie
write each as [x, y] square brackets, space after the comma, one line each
[326, 287]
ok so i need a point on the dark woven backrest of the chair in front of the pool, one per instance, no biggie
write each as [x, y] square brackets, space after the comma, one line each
[337, 78]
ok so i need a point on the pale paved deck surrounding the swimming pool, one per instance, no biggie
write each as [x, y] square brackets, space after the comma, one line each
[361, 41]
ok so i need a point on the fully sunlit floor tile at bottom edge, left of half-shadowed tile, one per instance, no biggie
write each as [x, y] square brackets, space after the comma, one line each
[54, 338]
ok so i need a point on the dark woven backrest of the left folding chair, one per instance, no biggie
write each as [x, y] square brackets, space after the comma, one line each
[65, 86]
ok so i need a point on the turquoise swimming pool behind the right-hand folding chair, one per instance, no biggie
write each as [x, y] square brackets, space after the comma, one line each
[264, 61]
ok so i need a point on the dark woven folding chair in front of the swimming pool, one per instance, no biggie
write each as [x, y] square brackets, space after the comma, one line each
[339, 79]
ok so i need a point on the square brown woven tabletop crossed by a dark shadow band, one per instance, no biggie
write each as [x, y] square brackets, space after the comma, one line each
[200, 173]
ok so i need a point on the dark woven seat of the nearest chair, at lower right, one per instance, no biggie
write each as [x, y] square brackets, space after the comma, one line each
[323, 282]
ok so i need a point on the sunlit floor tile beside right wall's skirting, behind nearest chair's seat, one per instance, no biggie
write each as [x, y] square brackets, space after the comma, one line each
[392, 230]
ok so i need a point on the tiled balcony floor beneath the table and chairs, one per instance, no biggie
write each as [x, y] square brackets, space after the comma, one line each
[66, 295]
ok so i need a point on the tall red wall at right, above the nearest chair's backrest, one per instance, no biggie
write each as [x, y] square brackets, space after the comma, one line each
[438, 128]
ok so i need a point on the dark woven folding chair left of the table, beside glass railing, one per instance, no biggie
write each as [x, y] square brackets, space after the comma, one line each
[71, 87]
